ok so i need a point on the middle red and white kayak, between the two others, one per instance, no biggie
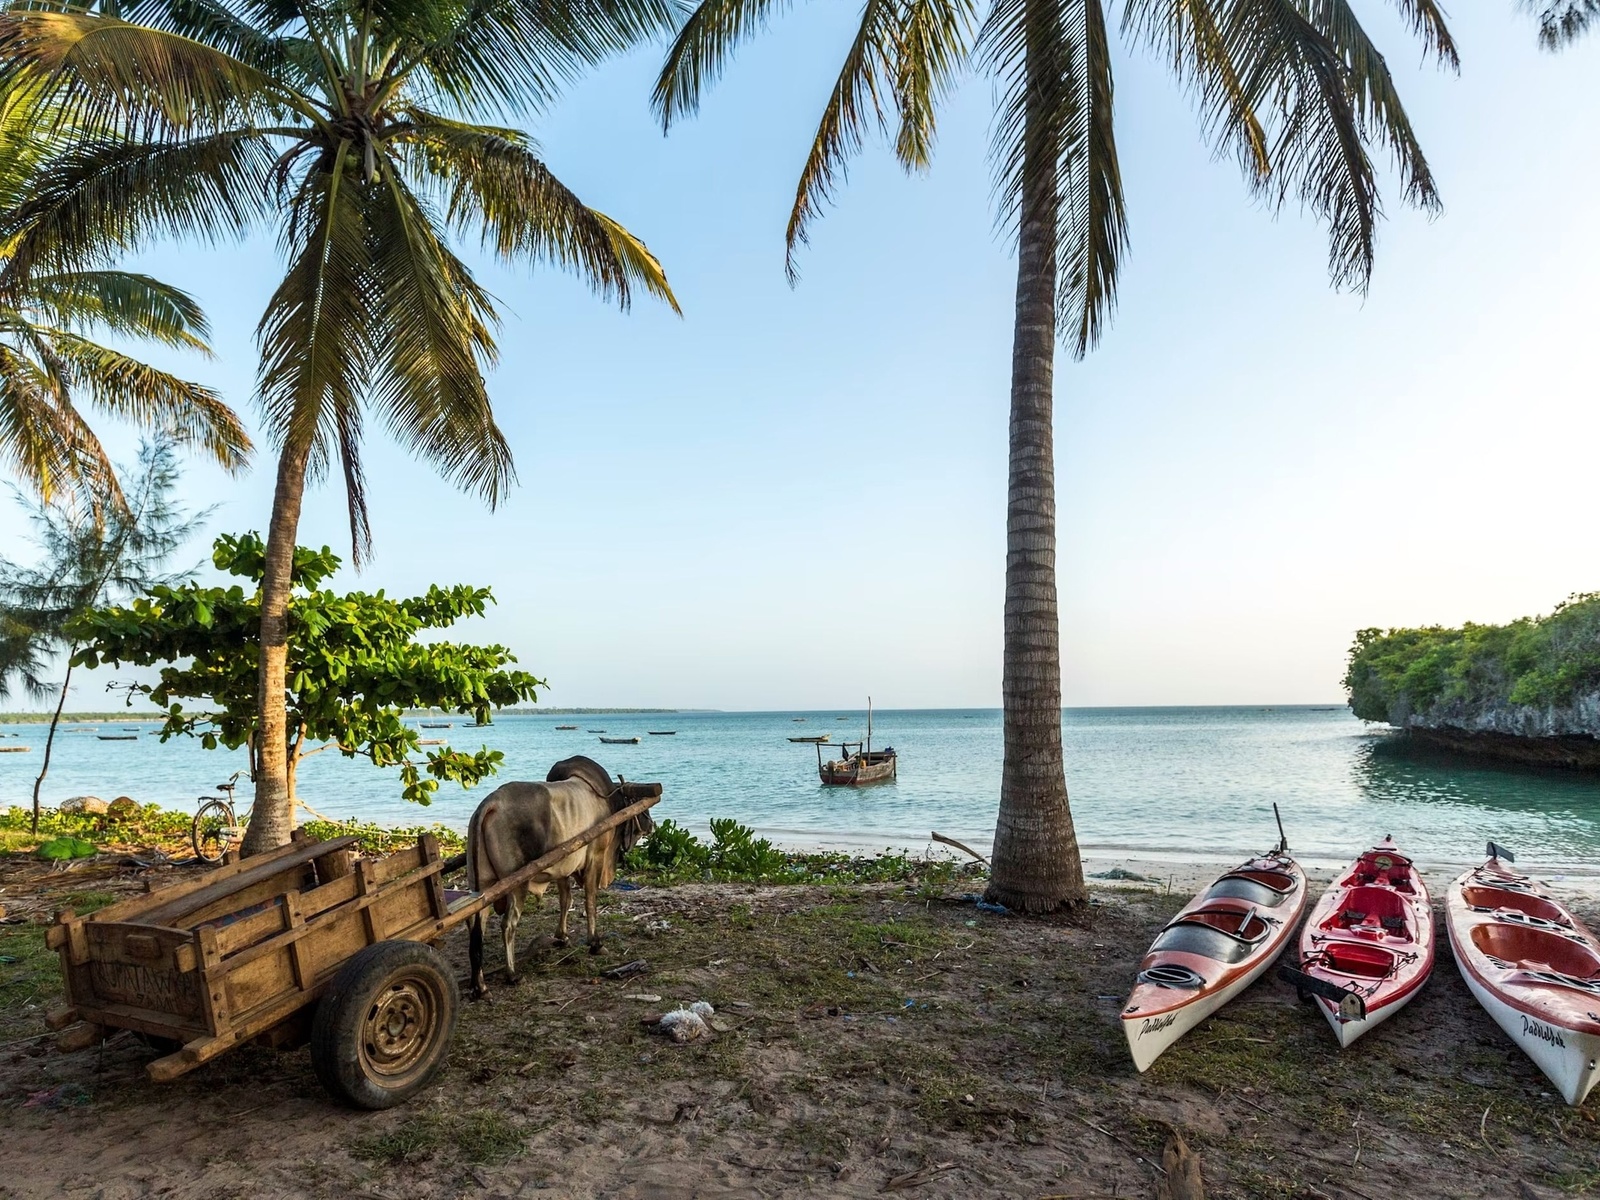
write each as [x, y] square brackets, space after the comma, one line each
[1370, 937]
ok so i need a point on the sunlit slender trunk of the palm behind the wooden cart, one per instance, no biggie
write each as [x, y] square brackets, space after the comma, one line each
[273, 815]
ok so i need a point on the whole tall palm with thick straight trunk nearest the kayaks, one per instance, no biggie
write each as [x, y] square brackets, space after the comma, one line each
[1294, 89]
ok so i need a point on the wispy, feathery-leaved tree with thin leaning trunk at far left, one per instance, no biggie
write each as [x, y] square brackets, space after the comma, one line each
[90, 556]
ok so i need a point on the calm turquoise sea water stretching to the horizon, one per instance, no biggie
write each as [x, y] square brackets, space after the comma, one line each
[1185, 783]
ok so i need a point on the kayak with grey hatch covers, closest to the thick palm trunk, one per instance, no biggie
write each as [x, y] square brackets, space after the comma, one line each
[1212, 951]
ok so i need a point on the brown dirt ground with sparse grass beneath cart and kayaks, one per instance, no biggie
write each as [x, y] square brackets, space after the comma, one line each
[878, 1041]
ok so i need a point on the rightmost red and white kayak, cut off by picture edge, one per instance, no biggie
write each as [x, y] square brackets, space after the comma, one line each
[1534, 967]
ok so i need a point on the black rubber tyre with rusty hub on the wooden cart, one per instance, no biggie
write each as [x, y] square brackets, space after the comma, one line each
[383, 1028]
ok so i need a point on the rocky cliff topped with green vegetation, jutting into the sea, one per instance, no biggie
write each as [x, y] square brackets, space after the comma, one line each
[1526, 692]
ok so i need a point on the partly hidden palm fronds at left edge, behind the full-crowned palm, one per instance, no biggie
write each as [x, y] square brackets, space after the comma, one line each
[50, 366]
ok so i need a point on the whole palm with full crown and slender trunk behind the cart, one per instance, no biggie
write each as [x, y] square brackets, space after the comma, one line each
[362, 130]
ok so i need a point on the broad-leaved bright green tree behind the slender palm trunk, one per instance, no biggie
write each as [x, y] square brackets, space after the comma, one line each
[354, 666]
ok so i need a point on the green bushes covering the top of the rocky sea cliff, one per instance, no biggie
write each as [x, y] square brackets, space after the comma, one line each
[1532, 662]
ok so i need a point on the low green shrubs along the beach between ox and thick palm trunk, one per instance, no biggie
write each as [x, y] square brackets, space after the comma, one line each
[674, 855]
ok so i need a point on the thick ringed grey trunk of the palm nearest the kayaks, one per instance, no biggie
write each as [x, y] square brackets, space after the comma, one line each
[1036, 858]
